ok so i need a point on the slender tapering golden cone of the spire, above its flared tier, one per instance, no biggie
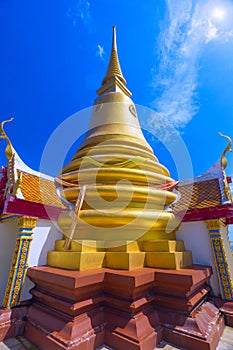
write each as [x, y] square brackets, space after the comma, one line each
[114, 69]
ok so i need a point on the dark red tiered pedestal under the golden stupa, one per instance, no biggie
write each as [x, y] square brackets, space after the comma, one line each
[131, 310]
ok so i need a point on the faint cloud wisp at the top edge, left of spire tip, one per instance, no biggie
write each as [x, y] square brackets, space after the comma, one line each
[79, 10]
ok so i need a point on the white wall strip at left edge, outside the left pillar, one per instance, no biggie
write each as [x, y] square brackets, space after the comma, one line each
[8, 233]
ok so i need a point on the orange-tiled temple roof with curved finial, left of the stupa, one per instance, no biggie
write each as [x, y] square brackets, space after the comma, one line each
[24, 191]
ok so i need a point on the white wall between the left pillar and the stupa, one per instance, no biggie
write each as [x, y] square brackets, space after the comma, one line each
[44, 237]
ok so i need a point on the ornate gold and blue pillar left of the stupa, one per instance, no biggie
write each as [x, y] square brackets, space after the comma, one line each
[20, 261]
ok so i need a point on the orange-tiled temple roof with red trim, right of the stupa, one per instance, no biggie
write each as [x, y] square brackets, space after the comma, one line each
[206, 195]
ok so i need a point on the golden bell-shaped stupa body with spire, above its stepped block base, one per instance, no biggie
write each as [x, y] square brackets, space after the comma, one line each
[123, 176]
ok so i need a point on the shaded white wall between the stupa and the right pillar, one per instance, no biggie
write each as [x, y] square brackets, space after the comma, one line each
[196, 238]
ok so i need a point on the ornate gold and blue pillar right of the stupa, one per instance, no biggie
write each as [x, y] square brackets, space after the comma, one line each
[222, 258]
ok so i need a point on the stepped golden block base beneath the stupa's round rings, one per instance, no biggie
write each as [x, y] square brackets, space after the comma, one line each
[126, 255]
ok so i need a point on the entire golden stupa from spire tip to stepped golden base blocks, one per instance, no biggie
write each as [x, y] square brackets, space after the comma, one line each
[124, 220]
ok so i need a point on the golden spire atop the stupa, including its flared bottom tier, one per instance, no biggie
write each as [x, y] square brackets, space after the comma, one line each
[114, 77]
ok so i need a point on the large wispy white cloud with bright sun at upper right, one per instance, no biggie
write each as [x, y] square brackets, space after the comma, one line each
[188, 26]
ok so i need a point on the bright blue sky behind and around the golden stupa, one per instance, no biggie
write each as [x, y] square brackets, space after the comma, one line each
[177, 58]
